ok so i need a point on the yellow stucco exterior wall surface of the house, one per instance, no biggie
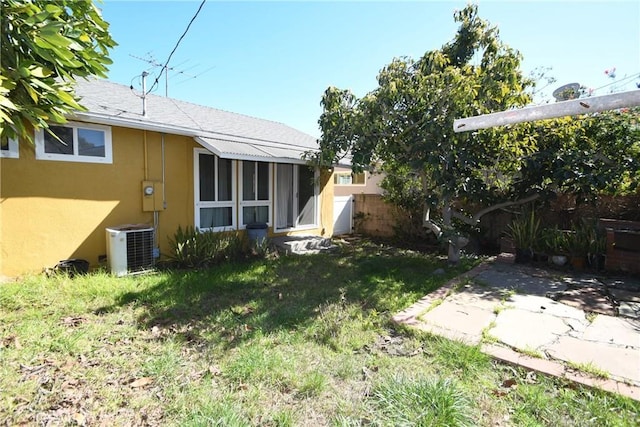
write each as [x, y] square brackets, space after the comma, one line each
[54, 210]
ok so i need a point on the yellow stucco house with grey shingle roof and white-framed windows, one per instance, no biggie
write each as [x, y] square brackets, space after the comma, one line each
[178, 164]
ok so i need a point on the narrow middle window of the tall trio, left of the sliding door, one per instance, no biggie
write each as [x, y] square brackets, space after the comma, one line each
[255, 193]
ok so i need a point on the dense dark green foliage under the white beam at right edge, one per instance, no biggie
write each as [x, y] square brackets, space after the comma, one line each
[585, 155]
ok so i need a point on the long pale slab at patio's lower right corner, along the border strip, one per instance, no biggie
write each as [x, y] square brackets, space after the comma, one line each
[617, 361]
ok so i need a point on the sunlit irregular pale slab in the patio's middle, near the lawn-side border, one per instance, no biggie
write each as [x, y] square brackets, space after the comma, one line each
[525, 330]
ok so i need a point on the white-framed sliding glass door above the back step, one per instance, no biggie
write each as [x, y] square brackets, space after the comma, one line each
[296, 197]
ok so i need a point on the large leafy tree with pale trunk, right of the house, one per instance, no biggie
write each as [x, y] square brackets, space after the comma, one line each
[406, 123]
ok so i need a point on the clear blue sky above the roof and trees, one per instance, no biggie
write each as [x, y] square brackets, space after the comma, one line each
[275, 59]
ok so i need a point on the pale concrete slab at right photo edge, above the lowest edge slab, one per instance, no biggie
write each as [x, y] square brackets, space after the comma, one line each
[614, 330]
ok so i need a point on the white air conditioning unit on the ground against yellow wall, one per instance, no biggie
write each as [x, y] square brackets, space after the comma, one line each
[130, 249]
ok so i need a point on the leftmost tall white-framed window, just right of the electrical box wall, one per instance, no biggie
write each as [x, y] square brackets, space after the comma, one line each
[214, 186]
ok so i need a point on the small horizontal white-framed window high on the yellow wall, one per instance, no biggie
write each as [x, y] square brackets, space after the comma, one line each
[75, 142]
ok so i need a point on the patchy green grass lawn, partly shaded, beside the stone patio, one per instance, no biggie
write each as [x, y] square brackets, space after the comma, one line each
[287, 341]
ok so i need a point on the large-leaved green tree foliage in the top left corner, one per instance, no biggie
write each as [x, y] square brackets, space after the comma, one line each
[45, 45]
